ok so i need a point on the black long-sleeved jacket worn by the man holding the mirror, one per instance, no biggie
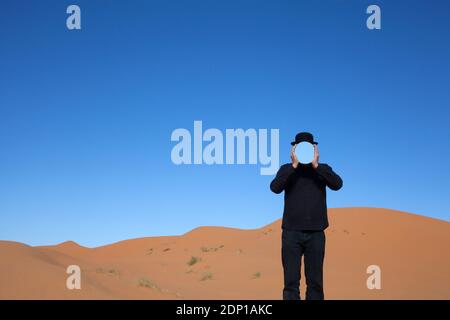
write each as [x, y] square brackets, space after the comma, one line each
[305, 205]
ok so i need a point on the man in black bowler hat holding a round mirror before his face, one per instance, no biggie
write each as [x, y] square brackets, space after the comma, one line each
[304, 219]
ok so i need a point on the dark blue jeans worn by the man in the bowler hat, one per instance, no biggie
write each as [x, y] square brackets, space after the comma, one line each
[310, 245]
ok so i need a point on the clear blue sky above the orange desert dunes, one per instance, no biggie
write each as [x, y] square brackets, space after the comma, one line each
[86, 116]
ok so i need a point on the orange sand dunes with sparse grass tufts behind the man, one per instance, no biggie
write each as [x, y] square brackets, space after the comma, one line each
[225, 263]
